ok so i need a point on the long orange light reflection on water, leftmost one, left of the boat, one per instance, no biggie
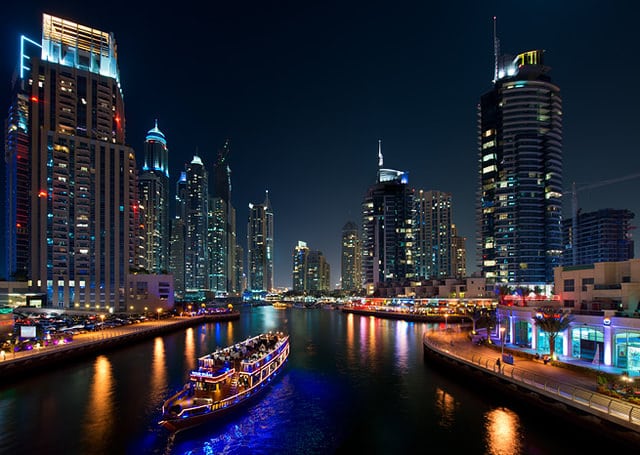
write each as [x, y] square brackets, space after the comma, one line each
[99, 415]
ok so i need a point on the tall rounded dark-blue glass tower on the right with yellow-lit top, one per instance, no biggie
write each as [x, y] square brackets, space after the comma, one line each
[520, 174]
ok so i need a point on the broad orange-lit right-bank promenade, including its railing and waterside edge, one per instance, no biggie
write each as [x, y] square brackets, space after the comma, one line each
[575, 390]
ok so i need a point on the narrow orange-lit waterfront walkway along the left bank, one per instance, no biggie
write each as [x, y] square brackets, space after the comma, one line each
[16, 364]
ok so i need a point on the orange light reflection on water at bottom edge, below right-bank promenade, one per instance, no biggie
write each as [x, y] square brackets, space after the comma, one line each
[502, 432]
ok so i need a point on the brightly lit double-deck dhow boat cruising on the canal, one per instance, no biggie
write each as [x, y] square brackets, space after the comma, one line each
[225, 379]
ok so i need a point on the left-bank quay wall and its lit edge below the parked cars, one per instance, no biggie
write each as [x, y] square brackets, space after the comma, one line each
[12, 369]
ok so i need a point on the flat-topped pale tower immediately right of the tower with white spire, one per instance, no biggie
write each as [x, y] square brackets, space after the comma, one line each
[433, 252]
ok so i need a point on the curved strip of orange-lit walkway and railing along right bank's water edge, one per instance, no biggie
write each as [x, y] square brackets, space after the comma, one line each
[618, 410]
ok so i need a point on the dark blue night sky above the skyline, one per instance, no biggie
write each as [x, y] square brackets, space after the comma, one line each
[305, 89]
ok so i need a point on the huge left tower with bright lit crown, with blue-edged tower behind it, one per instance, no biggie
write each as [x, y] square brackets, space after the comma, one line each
[72, 193]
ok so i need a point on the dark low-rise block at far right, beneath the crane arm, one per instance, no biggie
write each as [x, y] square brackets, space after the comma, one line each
[600, 236]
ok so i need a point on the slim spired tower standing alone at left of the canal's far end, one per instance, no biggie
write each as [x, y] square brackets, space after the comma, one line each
[260, 247]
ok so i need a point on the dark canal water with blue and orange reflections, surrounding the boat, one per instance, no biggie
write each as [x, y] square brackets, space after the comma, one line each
[353, 384]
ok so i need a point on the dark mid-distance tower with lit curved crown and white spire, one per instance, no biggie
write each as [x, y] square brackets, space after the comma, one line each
[387, 218]
